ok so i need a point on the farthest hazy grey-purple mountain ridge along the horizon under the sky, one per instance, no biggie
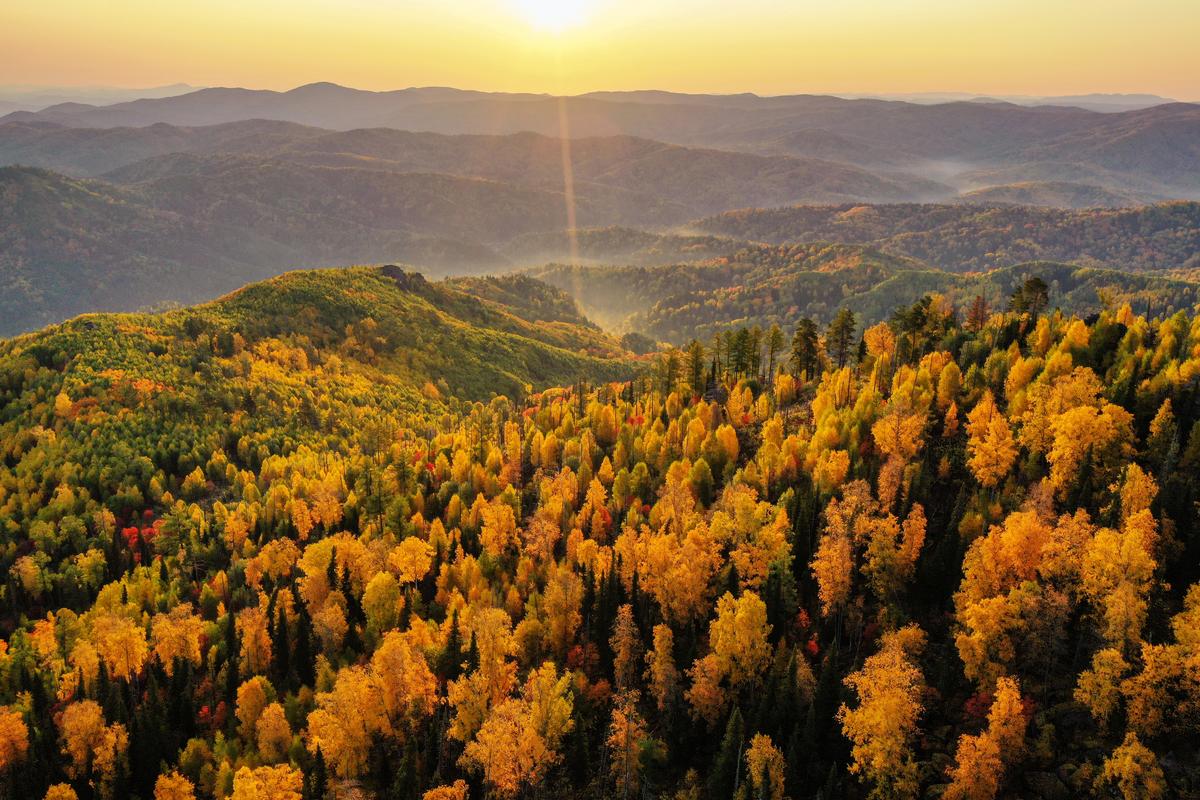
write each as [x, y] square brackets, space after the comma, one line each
[967, 145]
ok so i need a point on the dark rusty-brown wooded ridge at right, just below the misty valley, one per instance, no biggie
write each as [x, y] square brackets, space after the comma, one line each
[965, 238]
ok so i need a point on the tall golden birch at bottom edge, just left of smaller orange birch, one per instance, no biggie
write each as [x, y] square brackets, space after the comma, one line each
[883, 726]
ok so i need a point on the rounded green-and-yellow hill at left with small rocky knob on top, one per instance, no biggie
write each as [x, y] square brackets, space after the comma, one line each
[412, 340]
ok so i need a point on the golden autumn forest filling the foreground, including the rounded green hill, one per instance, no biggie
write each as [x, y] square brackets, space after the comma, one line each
[255, 550]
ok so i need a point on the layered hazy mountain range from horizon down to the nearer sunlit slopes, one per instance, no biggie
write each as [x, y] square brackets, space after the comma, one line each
[178, 200]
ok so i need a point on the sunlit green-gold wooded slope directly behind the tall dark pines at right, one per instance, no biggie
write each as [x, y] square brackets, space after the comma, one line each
[765, 286]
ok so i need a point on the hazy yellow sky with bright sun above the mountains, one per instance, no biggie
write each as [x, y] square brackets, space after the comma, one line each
[1040, 47]
